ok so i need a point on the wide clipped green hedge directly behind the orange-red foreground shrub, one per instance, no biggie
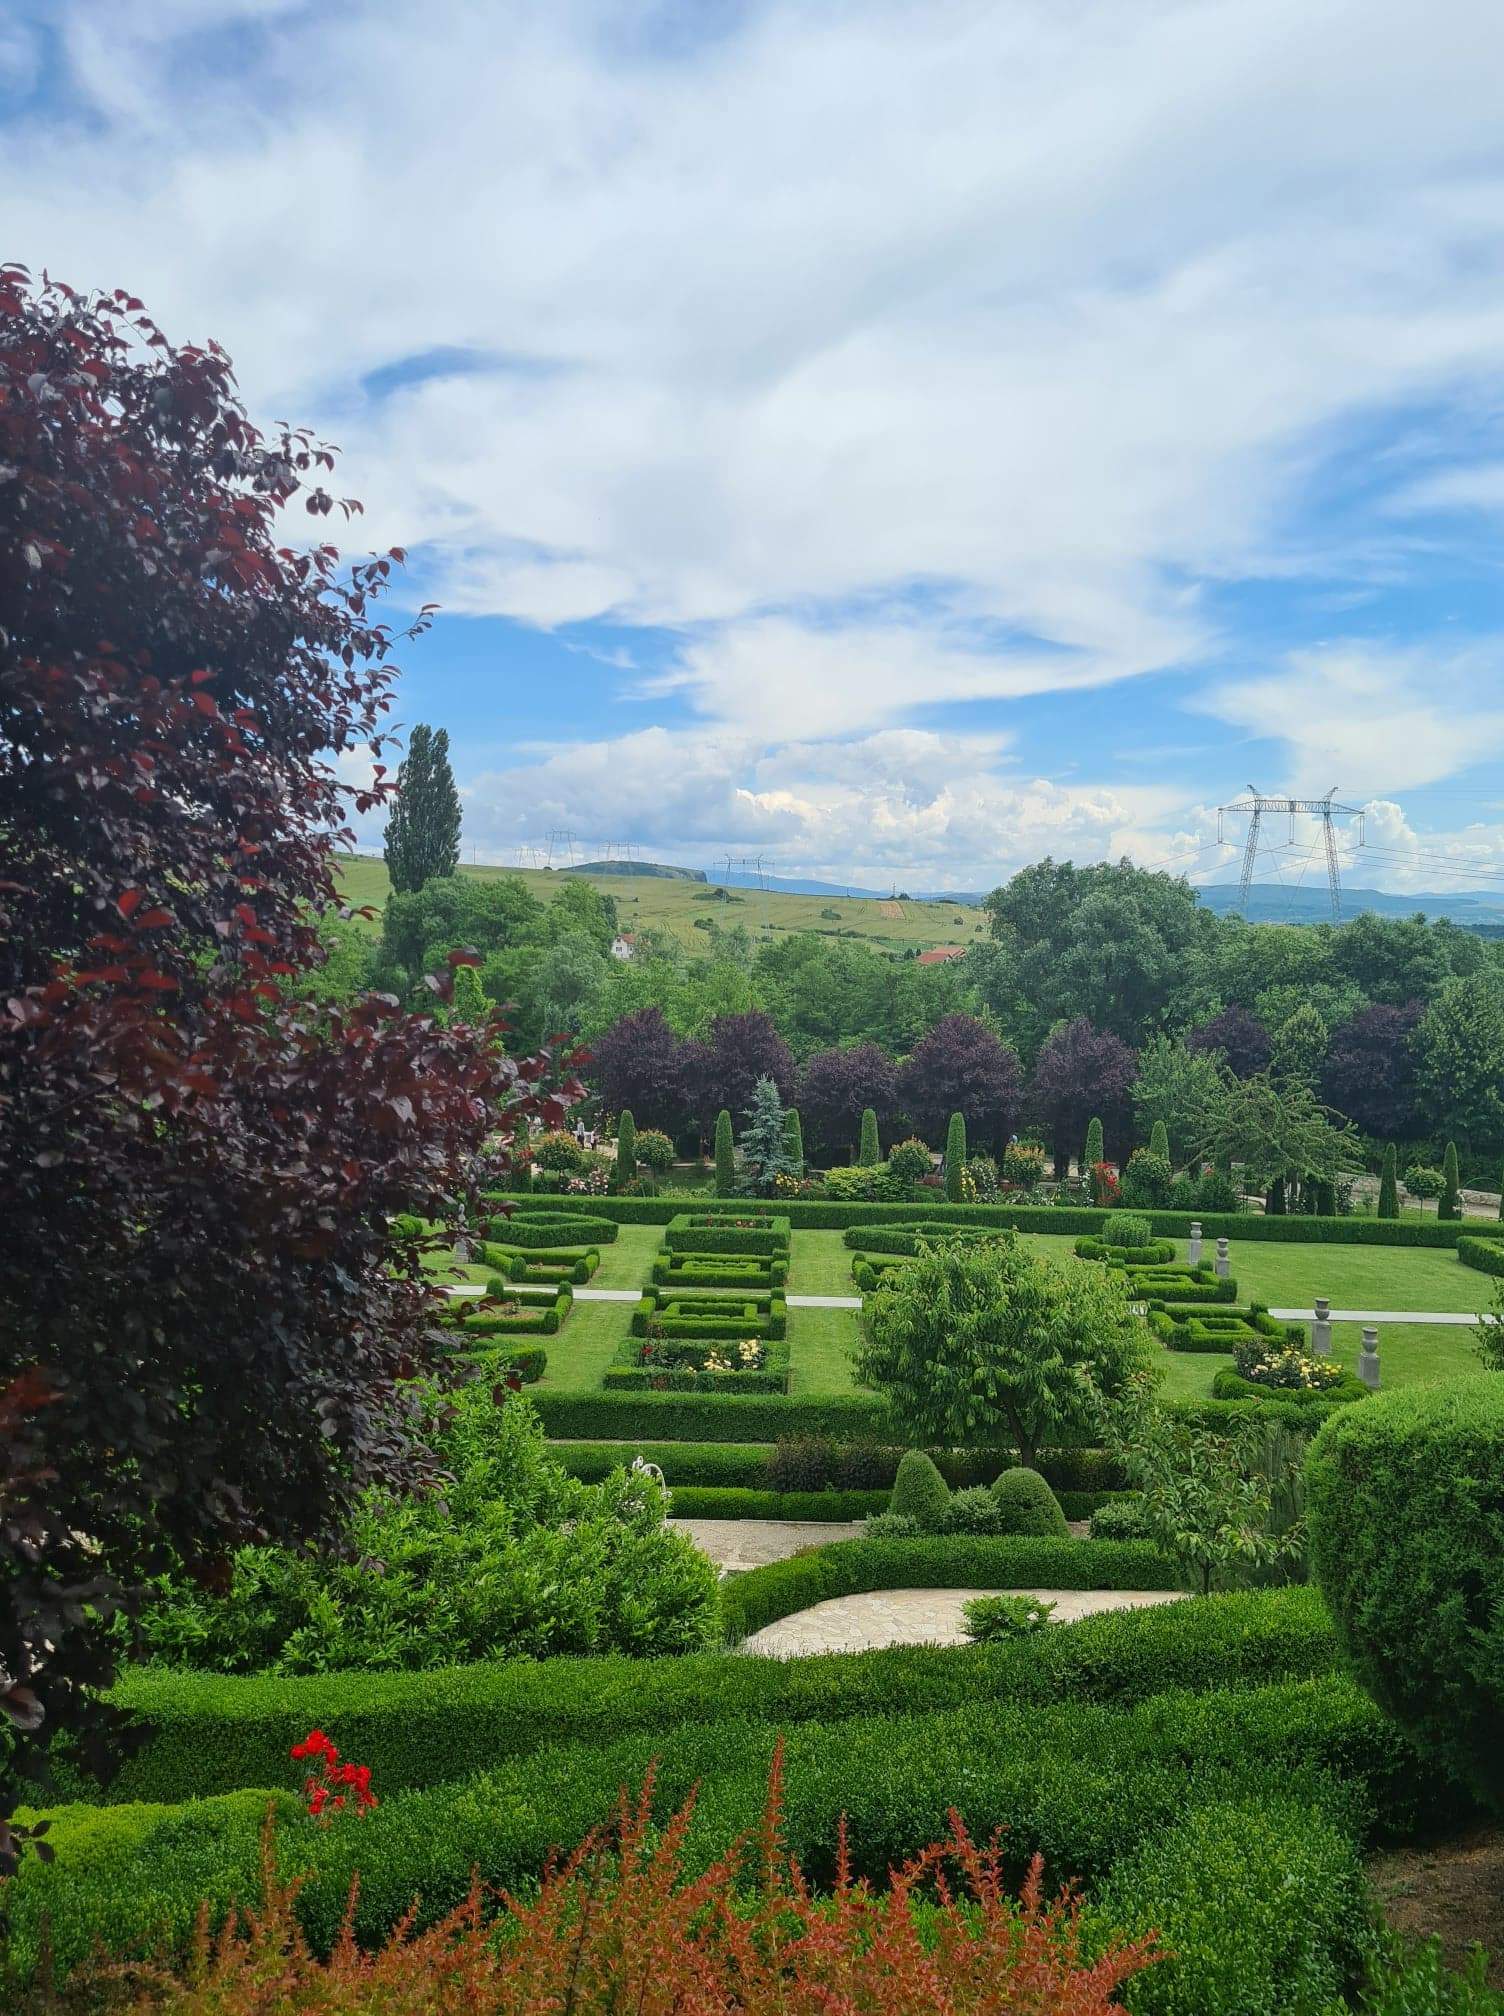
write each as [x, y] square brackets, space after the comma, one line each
[1084, 1785]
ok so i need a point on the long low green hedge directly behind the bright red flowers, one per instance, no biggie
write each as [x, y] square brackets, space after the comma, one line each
[209, 1735]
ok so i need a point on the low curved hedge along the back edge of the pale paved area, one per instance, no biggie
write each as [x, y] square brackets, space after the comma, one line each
[759, 1598]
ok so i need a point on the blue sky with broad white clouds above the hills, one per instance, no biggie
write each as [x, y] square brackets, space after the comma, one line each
[894, 440]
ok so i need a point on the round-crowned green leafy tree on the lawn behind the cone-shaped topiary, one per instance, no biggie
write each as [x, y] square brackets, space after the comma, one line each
[995, 1344]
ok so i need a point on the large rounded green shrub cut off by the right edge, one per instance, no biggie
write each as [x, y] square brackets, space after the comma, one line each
[1406, 1507]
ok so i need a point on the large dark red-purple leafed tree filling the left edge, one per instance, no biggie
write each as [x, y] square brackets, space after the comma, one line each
[199, 1279]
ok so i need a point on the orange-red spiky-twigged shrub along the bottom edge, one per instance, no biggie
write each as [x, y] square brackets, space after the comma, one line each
[618, 1926]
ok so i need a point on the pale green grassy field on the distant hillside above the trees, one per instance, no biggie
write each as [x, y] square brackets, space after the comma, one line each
[650, 902]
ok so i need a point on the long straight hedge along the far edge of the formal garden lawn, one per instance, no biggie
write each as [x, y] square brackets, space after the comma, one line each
[1066, 1221]
